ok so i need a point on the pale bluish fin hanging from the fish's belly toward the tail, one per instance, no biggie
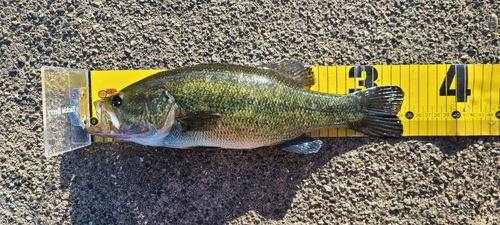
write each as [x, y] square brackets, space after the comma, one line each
[302, 145]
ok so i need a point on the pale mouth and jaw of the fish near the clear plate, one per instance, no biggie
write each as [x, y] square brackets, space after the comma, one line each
[108, 122]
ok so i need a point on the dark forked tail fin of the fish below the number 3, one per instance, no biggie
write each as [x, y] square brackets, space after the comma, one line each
[381, 105]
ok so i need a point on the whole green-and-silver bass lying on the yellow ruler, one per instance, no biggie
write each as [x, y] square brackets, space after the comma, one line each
[228, 106]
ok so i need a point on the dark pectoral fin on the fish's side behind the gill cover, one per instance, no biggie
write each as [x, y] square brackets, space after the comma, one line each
[199, 120]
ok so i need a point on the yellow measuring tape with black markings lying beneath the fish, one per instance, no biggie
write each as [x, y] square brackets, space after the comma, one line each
[440, 100]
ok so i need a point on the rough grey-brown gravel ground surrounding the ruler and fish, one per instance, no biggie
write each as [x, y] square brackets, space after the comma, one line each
[435, 180]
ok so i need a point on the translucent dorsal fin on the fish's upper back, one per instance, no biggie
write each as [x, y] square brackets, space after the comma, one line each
[295, 71]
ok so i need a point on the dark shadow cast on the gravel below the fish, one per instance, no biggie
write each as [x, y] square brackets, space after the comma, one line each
[125, 183]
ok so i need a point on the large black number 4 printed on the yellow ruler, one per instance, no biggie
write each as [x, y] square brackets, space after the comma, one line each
[461, 92]
